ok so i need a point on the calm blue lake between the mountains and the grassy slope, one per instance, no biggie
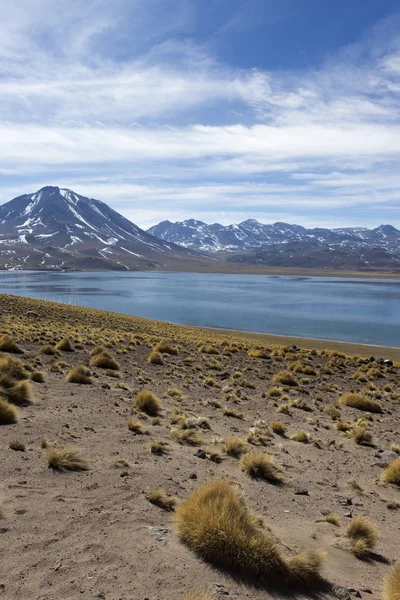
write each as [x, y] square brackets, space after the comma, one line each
[352, 310]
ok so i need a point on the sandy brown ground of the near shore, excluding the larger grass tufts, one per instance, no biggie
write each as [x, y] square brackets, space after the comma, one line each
[94, 533]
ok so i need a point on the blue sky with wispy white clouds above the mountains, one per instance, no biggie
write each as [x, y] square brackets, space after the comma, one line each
[219, 110]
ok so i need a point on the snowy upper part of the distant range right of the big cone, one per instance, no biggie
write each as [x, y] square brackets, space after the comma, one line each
[251, 234]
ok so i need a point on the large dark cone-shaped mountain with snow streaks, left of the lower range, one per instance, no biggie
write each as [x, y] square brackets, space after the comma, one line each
[57, 228]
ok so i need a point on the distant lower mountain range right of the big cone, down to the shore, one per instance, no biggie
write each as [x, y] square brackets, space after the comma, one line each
[282, 244]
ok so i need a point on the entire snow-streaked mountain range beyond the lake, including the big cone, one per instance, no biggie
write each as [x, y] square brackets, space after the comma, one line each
[56, 228]
